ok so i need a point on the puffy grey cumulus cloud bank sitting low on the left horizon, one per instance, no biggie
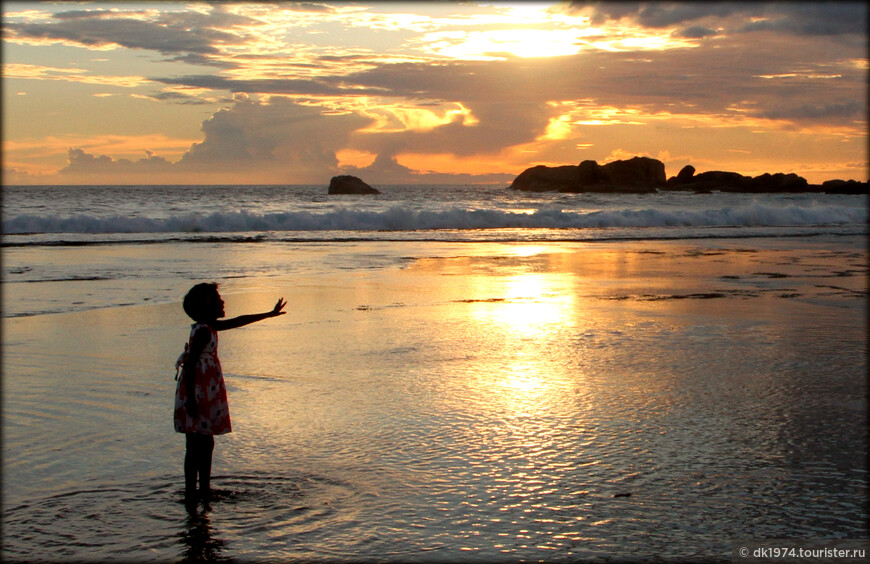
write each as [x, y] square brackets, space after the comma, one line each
[278, 141]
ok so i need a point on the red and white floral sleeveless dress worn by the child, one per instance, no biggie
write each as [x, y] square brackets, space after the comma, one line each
[213, 414]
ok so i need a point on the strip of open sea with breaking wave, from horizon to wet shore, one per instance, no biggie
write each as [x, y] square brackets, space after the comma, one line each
[443, 213]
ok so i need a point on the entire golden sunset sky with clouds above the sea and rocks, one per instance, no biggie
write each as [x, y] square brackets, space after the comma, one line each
[427, 92]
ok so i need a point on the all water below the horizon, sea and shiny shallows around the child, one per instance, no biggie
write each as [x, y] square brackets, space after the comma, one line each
[465, 373]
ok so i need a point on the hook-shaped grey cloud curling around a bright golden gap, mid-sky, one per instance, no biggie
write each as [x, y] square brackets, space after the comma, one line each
[506, 104]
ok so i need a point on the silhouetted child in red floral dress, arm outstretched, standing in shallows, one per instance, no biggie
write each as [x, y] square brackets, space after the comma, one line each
[201, 409]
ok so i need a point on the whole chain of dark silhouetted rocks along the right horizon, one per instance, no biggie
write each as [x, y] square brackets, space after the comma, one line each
[643, 175]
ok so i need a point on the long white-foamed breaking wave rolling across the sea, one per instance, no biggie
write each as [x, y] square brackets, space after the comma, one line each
[400, 218]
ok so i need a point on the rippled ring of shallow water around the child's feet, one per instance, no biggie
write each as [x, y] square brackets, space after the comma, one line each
[149, 521]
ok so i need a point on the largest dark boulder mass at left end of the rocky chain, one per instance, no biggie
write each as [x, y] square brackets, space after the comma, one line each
[636, 175]
